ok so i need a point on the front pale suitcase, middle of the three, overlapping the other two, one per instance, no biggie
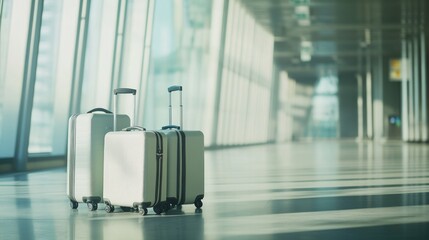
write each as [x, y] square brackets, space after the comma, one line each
[135, 169]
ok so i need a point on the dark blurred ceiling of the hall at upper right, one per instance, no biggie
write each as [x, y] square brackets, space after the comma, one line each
[340, 32]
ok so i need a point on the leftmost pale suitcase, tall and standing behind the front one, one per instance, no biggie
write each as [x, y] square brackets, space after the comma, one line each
[85, 155]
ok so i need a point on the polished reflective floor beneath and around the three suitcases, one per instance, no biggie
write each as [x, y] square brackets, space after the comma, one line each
[311, 190]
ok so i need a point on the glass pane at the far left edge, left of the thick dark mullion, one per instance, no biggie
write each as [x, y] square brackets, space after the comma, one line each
[13, 35]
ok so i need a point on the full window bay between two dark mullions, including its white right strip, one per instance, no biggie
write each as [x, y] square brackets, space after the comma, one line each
[53, 77]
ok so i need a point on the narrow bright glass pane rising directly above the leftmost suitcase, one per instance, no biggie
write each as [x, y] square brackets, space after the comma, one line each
[99, 52]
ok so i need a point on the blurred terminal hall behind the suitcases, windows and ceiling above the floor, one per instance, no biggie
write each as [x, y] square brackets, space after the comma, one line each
[252, 71]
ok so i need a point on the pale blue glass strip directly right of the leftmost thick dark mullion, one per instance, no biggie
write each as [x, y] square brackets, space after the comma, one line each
[42, 120]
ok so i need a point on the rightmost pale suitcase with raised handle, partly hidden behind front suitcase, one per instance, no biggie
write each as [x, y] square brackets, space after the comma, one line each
[185, 183]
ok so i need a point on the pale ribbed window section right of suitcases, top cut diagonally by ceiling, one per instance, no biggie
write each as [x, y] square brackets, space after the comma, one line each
[245, 91]
